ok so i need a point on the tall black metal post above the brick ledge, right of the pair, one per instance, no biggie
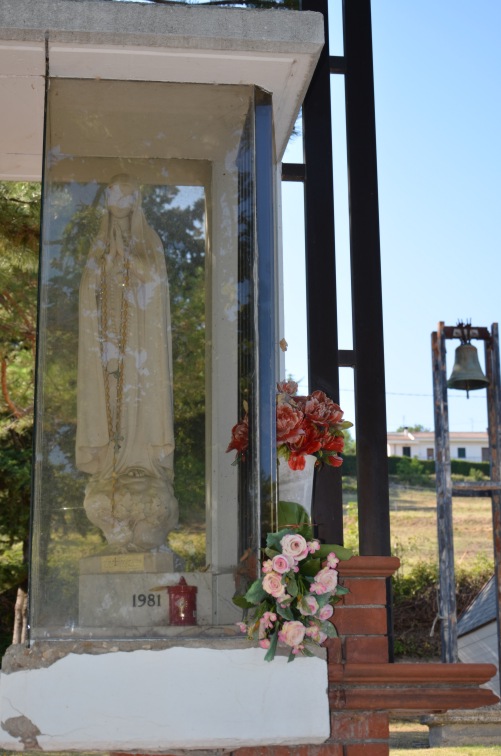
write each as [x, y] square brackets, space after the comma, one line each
[370, 403]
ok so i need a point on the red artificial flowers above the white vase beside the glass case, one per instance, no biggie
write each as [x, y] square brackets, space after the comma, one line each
[310, 424]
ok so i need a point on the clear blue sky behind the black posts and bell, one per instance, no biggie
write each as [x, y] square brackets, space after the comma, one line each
[437, 72]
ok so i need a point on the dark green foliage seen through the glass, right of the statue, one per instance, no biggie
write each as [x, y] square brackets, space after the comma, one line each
[181, 229]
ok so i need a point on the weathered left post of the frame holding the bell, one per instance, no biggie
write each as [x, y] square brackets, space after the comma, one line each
[447, 581]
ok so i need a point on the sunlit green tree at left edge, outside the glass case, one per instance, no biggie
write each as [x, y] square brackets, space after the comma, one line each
[19, 238]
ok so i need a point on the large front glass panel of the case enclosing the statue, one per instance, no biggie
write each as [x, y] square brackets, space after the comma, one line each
[148, 255]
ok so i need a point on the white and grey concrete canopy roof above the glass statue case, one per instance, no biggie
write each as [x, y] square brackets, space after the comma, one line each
[275, 50]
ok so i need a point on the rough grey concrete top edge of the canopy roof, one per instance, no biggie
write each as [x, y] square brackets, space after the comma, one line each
[192, 27]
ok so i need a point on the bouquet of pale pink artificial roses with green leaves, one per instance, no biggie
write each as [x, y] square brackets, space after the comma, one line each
[292, 603]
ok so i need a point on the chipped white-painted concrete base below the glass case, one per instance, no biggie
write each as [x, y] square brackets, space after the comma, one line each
[184, 698]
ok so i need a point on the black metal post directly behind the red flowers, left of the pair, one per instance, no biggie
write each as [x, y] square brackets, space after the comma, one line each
[321, 271]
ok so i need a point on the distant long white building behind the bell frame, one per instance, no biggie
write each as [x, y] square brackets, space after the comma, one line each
[473, 447]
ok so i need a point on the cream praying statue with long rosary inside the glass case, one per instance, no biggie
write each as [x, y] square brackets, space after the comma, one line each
[125, 436]
